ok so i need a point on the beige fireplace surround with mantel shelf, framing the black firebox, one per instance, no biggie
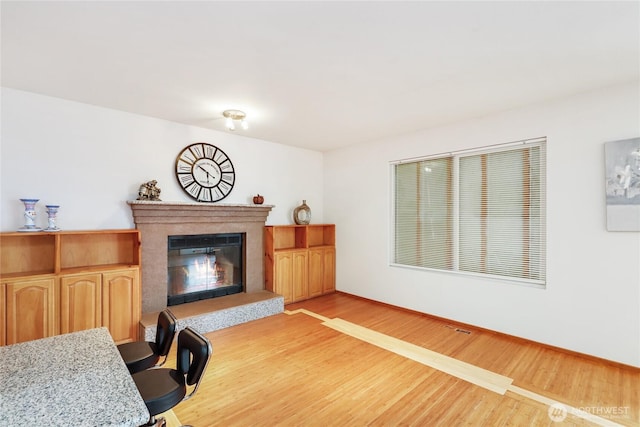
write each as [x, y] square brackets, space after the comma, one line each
[159, 220]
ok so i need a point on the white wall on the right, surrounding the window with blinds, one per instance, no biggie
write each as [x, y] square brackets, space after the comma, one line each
[592, 300]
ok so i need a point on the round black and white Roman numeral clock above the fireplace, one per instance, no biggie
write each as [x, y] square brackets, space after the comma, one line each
[205, 172]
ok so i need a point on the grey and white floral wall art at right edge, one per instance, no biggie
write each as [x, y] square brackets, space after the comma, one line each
[622, 159]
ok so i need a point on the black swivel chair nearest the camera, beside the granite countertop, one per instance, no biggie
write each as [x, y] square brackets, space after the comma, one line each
[162, 389]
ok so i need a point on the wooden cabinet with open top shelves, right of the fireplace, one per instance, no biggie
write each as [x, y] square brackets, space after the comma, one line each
[300, 260]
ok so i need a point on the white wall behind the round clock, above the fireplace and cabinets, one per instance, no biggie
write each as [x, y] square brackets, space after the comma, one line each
[91, 160]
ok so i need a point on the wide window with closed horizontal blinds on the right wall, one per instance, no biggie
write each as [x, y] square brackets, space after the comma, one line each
[478, 211]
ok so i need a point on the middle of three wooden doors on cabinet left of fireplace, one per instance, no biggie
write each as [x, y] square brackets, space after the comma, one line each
[80, 302]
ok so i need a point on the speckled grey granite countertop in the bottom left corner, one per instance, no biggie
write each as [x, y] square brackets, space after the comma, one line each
[76, 379]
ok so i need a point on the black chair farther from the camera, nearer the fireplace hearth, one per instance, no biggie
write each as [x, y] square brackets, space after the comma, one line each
[142, 355]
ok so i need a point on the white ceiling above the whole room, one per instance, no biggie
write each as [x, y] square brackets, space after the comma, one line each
[318, 75]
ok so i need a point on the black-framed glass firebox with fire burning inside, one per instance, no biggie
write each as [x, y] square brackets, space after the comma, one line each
[204, 266]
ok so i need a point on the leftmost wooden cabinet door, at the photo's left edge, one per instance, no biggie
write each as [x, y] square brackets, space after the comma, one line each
[30, 310]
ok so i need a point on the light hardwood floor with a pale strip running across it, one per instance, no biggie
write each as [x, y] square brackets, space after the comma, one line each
[345, 361]
